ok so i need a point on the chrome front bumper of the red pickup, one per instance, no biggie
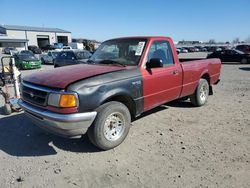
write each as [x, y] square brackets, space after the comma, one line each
[67, 125]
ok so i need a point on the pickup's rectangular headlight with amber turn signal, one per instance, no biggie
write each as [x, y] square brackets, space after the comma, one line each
[64, 100]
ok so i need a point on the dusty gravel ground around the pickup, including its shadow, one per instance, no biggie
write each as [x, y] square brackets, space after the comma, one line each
[175, 145]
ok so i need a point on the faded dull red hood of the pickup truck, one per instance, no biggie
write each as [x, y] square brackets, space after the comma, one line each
[61, 77]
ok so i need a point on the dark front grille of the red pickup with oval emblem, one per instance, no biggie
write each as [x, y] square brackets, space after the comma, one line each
[34, 95]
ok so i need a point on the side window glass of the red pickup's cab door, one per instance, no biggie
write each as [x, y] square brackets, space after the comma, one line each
[161, 50]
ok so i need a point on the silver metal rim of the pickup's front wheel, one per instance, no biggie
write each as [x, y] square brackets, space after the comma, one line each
[114, 126]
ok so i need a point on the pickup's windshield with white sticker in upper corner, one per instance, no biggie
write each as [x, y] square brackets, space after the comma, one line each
[122, 51]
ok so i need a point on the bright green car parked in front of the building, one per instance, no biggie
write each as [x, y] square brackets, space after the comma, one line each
[27, 60]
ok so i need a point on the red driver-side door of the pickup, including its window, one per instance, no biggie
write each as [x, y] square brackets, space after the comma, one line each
[161, 84]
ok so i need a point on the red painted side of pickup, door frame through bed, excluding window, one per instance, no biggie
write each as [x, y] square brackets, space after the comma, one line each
[162, 85]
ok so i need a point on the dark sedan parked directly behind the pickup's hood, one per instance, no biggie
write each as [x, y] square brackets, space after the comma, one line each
[71, 57]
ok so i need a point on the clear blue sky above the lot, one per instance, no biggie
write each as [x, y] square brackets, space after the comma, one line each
[221, 20]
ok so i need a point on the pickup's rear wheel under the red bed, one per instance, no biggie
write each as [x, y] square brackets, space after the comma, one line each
[200, 96]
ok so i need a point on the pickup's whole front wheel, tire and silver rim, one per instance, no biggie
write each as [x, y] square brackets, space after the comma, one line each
[111, 125]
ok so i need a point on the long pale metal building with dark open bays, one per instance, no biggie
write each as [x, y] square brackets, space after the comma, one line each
[21, 37]
